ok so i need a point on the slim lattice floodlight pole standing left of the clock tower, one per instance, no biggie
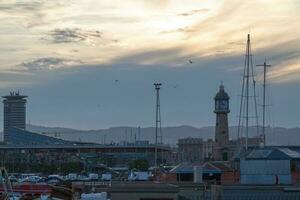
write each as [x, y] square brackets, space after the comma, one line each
[157, 122]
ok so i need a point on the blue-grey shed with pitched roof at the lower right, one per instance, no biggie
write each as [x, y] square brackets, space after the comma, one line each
[270, 166]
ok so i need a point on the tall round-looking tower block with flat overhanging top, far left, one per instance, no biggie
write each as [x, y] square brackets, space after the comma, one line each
[14, 113]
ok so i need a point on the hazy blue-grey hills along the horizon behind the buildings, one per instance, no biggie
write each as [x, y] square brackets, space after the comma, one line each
[275, 136]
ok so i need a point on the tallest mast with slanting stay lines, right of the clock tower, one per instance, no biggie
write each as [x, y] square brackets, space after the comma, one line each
[248, 76]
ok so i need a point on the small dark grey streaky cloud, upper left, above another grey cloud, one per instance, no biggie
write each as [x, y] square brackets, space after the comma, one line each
[71, 35]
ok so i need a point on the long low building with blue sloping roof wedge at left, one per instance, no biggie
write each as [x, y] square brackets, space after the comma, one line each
[33, 152]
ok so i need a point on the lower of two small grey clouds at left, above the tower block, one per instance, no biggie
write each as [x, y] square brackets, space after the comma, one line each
[48, 63]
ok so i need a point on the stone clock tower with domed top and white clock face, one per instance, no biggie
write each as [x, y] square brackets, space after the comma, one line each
[221, 131]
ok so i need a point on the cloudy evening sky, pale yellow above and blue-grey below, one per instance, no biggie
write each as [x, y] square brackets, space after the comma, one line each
[90, 64]
